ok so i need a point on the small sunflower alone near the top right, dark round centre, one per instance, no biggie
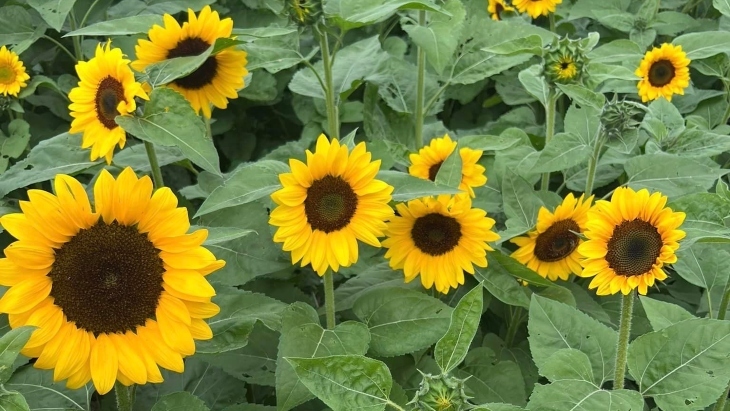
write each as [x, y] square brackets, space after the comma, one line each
[664, 71]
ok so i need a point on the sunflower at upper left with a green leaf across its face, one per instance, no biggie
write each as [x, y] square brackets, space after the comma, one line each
[221, 75]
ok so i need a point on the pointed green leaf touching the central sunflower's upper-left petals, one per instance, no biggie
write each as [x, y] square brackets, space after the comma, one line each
[246, 184]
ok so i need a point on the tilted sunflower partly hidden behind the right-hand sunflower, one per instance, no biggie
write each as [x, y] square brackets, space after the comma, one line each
[551, 249]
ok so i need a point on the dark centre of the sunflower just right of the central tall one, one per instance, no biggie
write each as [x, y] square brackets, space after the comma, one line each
[436, 234]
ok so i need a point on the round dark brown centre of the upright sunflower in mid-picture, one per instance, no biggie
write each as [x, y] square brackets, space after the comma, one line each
[330, 204]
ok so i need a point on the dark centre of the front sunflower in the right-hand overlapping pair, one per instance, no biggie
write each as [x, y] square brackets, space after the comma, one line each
[633, 248]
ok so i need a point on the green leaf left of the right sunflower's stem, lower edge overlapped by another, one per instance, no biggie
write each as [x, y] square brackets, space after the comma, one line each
[554, 326]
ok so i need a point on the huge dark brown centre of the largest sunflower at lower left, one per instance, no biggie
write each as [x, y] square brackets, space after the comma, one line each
[107, 278]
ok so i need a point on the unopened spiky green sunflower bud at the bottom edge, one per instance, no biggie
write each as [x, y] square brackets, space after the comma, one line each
[441, 393]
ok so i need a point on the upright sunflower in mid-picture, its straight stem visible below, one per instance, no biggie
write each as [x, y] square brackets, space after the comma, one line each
[329, 203]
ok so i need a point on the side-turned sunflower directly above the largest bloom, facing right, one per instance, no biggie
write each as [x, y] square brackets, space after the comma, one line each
[107, 89]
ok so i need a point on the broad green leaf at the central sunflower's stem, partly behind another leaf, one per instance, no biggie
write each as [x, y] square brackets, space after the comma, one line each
[303, 336]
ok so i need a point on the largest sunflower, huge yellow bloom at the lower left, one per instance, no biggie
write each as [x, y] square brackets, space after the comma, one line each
[114, 291]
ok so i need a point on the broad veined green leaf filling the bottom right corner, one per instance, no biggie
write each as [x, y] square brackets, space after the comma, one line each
[684, 366]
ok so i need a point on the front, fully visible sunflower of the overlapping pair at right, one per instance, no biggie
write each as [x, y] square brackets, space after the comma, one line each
[630, 239]
